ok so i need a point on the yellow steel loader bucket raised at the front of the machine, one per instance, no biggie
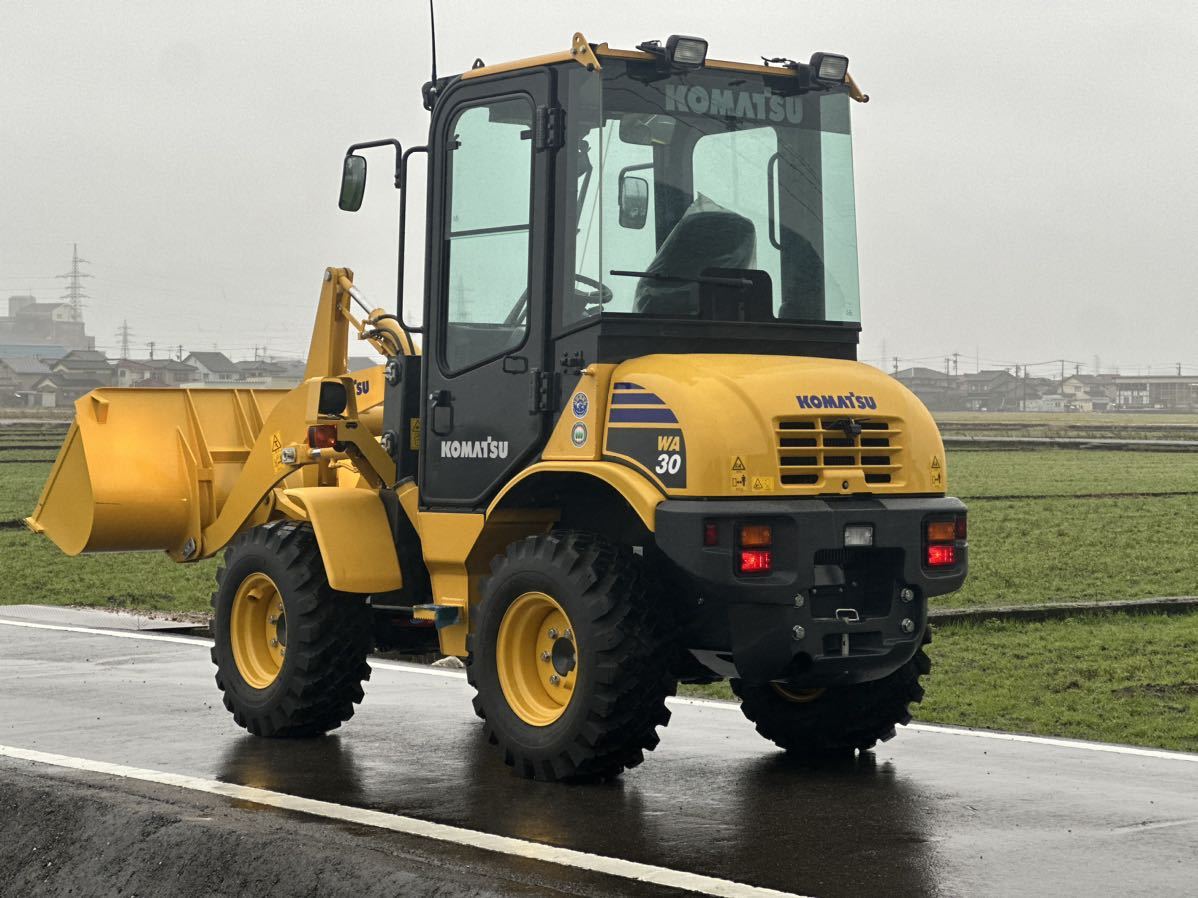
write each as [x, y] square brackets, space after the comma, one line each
[148, 469]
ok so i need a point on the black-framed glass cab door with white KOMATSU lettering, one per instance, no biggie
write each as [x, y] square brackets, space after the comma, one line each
[489, 275]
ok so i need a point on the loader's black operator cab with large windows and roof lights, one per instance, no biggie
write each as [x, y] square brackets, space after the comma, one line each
[598, 205]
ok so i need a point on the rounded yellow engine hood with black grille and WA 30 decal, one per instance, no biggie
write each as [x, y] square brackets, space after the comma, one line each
[715, 426]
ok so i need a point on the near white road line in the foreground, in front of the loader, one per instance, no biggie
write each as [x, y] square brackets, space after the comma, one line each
[414, 827]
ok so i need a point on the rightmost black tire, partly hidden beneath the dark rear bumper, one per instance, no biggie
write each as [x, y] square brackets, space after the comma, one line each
[839, 720]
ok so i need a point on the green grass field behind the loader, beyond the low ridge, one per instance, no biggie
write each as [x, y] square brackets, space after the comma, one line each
[1022, 551]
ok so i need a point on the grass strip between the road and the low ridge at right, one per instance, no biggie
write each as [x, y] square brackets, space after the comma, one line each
[1111, 678]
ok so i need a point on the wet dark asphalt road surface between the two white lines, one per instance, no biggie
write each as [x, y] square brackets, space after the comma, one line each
[929, 814]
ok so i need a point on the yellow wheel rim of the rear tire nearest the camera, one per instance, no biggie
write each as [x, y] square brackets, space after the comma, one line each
[537, 659]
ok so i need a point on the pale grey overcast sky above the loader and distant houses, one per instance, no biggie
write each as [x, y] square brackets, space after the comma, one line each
[1027, 185]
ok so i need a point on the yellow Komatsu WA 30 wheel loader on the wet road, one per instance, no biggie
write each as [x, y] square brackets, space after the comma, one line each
[630, 446]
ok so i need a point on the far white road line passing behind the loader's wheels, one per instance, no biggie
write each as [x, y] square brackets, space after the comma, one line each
[1076, 744]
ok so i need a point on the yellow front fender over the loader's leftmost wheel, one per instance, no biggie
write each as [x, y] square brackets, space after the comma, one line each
[355, 538]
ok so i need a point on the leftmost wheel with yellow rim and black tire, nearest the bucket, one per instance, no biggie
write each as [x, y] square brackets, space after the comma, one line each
[273, 588]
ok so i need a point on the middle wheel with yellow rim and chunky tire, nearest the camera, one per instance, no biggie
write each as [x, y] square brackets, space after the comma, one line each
[609, 652]
